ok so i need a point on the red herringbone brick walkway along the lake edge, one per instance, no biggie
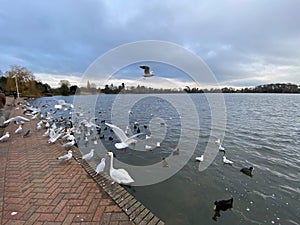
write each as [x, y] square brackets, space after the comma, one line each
[36, 188]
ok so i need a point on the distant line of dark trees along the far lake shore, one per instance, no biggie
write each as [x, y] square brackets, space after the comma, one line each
[23, 79]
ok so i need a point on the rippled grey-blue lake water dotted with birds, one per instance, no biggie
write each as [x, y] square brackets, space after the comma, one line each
[262, 130]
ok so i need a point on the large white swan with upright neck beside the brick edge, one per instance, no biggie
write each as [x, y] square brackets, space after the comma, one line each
[120, 176]
